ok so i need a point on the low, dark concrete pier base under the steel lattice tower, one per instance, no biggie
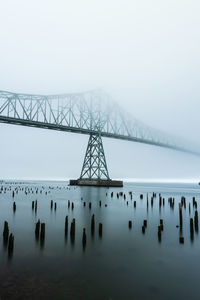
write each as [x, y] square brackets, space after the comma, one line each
[96, 182]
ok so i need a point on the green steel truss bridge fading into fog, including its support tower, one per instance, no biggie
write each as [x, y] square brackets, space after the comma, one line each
[92, 113]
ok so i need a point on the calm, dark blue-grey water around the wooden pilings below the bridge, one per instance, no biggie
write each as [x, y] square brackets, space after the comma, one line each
[123, 264]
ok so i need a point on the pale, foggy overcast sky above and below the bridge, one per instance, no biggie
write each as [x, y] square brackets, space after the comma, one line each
[144, 53]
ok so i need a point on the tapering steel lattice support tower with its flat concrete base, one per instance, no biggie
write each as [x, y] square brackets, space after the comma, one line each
[94, 170]
